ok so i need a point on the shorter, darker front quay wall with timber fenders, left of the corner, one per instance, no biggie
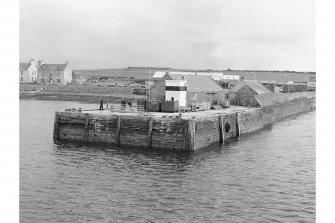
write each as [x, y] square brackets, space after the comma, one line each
[127, 131]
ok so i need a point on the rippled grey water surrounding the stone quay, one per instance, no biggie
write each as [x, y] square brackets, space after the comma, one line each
[267, 176]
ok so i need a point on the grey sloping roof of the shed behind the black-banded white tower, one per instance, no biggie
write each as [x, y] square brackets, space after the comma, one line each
[196, 83]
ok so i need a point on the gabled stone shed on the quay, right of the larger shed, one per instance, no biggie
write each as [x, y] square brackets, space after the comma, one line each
[244, 93]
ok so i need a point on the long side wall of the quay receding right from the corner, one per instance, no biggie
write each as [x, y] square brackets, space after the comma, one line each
[208, 130]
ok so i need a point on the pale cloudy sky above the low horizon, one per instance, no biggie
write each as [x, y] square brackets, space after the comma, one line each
[199, 34]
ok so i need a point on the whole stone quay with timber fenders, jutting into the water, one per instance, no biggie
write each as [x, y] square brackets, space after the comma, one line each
[176, 131]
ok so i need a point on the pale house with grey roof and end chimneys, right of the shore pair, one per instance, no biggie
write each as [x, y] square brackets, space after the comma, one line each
[54, 73]
